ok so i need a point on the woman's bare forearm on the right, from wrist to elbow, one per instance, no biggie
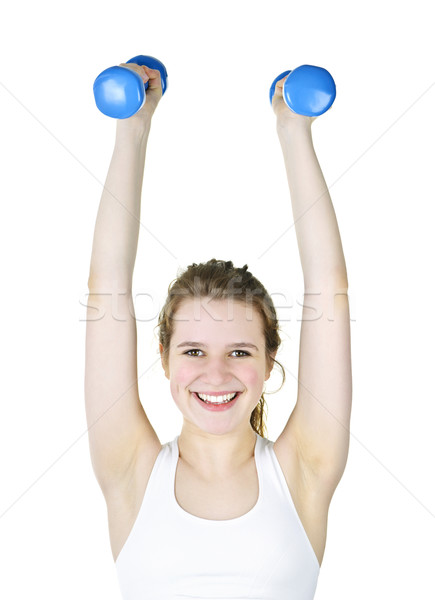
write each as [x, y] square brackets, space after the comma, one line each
[316, 225]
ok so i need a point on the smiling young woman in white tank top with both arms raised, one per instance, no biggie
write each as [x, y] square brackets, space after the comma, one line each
[220, 511]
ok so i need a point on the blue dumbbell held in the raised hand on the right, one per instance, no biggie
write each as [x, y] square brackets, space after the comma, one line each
[308, 90]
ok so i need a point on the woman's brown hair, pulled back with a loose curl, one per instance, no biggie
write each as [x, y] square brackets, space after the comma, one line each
[215, 279]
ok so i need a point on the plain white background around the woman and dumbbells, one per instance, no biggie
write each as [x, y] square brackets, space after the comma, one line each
[215, 186]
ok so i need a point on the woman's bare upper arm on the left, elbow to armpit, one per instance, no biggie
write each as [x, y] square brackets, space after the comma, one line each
[117, 423]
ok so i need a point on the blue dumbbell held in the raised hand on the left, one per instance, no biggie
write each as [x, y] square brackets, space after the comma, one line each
[120, 92]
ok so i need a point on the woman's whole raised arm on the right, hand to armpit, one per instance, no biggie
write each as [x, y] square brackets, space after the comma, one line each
[318, 427]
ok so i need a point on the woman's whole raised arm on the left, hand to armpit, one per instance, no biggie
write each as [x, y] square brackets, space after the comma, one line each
[117, 423]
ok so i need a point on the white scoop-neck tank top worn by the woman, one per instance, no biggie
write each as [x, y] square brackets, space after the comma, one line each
[172, 555]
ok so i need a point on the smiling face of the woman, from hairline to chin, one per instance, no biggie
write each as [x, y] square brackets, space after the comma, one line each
[217, 347]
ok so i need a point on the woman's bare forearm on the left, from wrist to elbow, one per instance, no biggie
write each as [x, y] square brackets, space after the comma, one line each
[117, 226]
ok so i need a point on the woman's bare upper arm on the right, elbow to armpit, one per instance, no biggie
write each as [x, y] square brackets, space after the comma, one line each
[319, 424]
